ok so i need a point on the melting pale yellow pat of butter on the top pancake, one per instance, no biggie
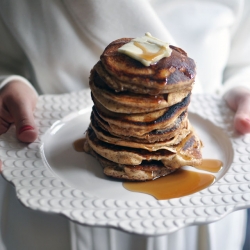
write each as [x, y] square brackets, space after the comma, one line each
[147, 49]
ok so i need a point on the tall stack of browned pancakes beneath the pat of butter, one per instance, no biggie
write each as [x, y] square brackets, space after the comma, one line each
[139, 128]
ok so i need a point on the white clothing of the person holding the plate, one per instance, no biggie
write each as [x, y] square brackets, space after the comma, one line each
[55, 43]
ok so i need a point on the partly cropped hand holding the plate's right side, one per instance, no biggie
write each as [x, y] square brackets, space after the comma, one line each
[238, 99]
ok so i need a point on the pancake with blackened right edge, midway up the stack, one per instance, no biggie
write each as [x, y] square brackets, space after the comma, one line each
[140, 124]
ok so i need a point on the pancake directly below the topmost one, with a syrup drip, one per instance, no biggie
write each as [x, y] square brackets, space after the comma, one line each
[127, 102]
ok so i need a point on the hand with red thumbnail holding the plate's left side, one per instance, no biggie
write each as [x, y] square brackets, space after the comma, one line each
[17, 103]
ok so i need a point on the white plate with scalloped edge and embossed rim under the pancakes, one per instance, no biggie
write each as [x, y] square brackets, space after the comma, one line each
[50, 175]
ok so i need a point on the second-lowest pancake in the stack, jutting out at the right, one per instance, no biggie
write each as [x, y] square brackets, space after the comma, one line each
[187, 152]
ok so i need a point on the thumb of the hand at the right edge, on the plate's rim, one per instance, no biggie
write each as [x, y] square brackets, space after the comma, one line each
[242, 115]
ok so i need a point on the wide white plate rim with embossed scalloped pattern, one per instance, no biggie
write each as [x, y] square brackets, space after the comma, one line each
[38, 188]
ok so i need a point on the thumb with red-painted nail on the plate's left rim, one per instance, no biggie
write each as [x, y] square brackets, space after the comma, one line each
[22, 113]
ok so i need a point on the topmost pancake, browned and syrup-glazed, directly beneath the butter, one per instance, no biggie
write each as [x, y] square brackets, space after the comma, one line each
[170, 74]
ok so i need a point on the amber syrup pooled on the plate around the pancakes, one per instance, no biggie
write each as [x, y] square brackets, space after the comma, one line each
[180, 183]
